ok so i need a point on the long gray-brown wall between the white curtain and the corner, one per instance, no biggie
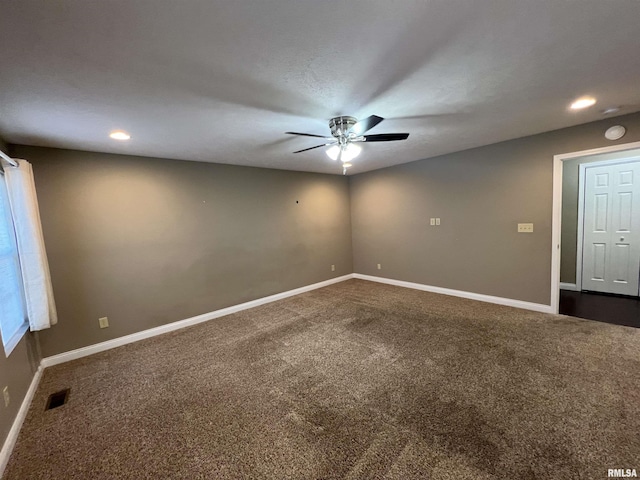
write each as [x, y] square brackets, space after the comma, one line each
[147, 241]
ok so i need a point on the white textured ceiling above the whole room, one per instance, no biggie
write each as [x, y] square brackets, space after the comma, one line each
[221, 81]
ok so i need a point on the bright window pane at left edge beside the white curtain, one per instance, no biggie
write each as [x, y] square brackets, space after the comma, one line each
[13, 317]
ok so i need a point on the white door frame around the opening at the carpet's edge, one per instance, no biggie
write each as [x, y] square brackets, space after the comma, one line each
[556, 221]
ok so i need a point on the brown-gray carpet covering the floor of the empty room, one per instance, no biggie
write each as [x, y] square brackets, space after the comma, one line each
[354, 381]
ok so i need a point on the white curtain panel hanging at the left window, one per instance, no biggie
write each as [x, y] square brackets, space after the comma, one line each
[41, 308]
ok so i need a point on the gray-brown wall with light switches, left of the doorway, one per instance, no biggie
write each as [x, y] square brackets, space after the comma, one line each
[481, 195]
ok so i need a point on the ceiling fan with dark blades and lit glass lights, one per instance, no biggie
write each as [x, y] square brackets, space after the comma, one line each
[346, 132]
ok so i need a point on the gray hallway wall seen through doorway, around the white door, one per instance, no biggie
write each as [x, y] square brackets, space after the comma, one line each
[570, 181]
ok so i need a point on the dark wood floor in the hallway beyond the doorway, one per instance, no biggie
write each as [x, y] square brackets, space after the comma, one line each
[602, 307]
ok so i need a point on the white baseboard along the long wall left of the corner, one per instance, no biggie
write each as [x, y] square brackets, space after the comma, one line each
[170, 327]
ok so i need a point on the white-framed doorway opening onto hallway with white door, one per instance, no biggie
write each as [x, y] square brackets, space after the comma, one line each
[574, 257]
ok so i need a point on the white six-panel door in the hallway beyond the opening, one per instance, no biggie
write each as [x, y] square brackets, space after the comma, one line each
[611, 238]
